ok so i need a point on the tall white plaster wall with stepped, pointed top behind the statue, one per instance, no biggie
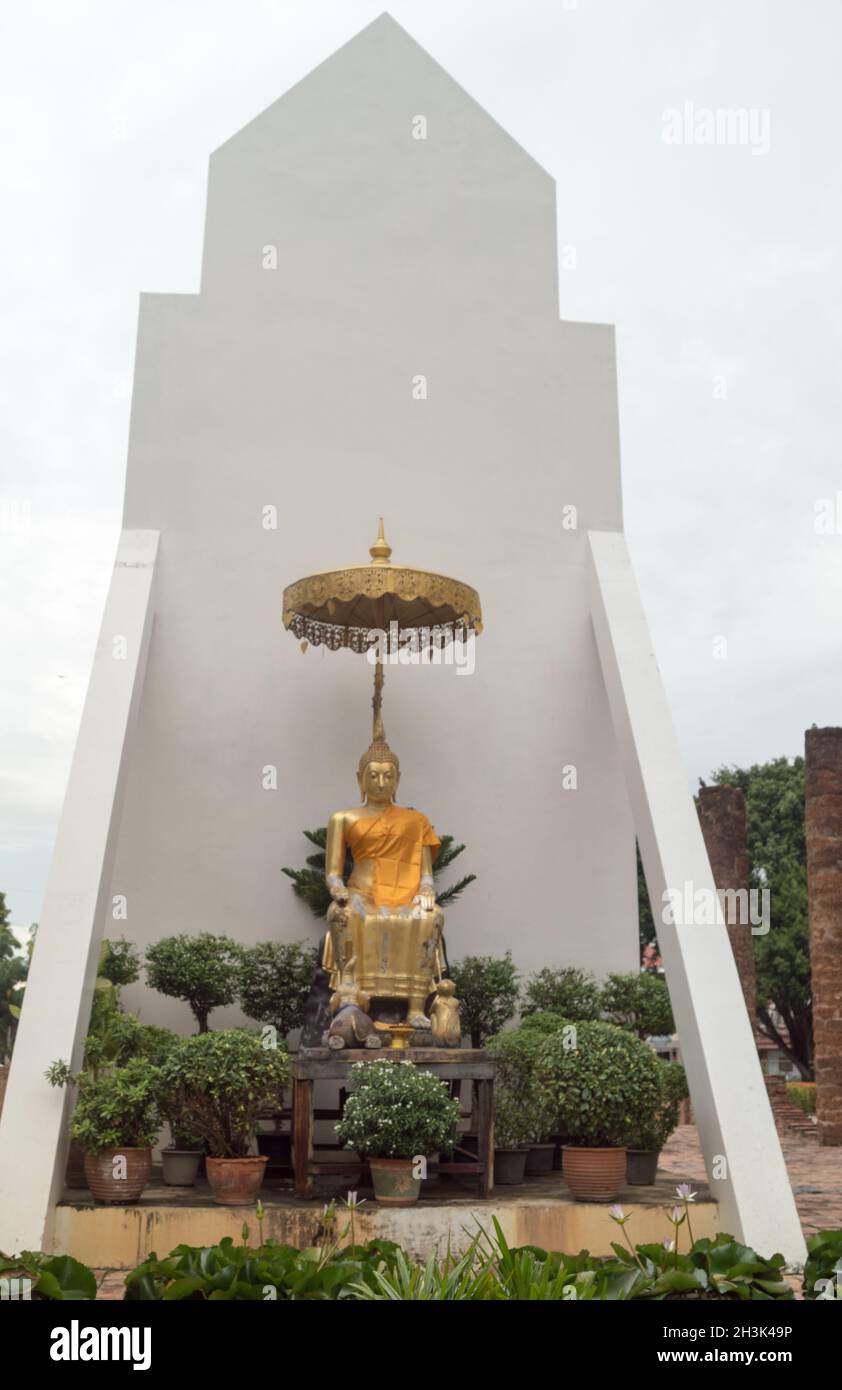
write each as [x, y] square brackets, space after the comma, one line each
[294, 389]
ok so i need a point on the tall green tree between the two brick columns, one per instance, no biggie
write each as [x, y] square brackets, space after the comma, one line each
[775, 796]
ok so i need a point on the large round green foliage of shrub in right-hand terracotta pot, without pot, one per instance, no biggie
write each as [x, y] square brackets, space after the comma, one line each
[602, 1086]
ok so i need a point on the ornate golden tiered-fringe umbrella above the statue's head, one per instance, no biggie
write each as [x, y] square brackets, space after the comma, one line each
[354, 607]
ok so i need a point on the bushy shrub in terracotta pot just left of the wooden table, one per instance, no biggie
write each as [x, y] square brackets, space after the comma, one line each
[217, 1085]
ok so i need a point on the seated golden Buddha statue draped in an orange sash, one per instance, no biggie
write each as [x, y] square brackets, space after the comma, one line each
[384, 925]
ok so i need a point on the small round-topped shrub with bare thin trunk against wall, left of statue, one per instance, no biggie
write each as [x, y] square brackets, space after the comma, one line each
[201, 971]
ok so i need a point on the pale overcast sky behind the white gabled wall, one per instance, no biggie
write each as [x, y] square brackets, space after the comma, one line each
[718, 263]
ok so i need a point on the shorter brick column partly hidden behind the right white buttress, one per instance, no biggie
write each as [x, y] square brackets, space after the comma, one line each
[723, 818]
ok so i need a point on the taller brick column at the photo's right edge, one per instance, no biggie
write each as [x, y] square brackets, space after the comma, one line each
[823, 817]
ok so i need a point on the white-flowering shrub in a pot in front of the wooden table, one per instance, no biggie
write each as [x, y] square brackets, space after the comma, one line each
[394, 1117]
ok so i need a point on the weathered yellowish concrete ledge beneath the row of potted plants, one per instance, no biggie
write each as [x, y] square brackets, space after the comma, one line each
[541, 1213]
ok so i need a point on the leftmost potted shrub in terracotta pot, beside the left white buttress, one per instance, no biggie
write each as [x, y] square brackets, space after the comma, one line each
[116, 1124]
